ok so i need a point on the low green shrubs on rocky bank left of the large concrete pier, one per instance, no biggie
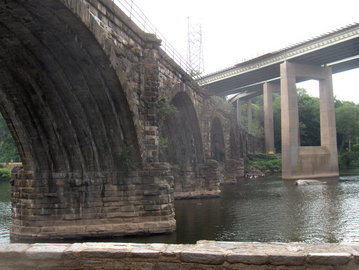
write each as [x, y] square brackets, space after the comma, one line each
[264, 162]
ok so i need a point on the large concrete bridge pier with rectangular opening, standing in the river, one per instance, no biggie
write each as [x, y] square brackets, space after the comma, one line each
[309, 161]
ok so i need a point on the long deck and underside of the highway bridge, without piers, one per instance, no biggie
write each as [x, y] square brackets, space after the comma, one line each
[338, 50]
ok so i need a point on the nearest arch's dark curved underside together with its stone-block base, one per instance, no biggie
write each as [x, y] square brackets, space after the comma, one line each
[74, 129]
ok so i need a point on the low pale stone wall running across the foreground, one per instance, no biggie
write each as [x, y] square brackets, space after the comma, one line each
[203, 255]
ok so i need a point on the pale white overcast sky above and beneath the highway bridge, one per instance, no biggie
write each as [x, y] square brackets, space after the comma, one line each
[234, 30]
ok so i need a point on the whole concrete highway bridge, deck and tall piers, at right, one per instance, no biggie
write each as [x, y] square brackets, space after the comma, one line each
[317, 59]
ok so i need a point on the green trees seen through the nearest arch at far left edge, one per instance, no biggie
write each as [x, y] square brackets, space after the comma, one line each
[8, 150]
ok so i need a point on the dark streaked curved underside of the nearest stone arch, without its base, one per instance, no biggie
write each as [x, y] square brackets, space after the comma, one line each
[65, 98]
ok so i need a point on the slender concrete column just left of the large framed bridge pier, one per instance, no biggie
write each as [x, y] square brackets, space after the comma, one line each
[268, 89]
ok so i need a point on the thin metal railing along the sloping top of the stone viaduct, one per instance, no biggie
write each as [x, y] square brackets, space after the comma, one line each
[141, 20]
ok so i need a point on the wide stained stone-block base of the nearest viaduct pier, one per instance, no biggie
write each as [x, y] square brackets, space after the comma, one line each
[115, 204]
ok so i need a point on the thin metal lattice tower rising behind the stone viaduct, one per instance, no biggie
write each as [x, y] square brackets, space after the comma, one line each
[195, 49]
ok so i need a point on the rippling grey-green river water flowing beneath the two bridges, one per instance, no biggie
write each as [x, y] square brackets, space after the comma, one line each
[263, 209]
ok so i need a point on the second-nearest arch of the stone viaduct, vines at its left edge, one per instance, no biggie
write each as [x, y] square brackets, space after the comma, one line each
[184, 146]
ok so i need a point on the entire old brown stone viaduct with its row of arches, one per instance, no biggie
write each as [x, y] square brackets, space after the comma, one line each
[109, 128]
